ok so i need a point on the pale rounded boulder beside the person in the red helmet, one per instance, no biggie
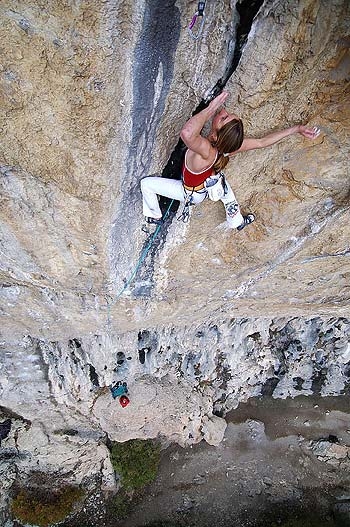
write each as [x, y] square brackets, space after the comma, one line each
[165, 405]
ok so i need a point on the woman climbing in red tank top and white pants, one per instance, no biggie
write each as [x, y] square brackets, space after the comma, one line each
[205, 158]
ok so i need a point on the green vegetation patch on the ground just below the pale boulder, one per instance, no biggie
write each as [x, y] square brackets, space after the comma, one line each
[136, 461]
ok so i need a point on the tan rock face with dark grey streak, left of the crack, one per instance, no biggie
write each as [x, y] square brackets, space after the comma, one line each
[90, 97]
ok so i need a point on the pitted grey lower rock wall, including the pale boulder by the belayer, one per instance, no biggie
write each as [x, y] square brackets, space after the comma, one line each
[176, 373]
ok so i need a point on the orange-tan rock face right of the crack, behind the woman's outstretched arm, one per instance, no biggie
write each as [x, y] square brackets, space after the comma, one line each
[295, 259]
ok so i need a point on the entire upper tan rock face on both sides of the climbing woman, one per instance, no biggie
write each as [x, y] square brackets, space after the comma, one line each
[94, 100]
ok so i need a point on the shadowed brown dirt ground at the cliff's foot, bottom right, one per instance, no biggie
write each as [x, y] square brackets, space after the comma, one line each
[262, 474]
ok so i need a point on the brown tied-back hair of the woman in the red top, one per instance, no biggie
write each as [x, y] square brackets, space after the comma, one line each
[229, 139]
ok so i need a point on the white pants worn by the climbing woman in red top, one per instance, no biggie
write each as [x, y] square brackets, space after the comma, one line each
[173, 189]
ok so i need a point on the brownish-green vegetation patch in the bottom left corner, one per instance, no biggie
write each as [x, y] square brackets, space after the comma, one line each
[44, 507]
